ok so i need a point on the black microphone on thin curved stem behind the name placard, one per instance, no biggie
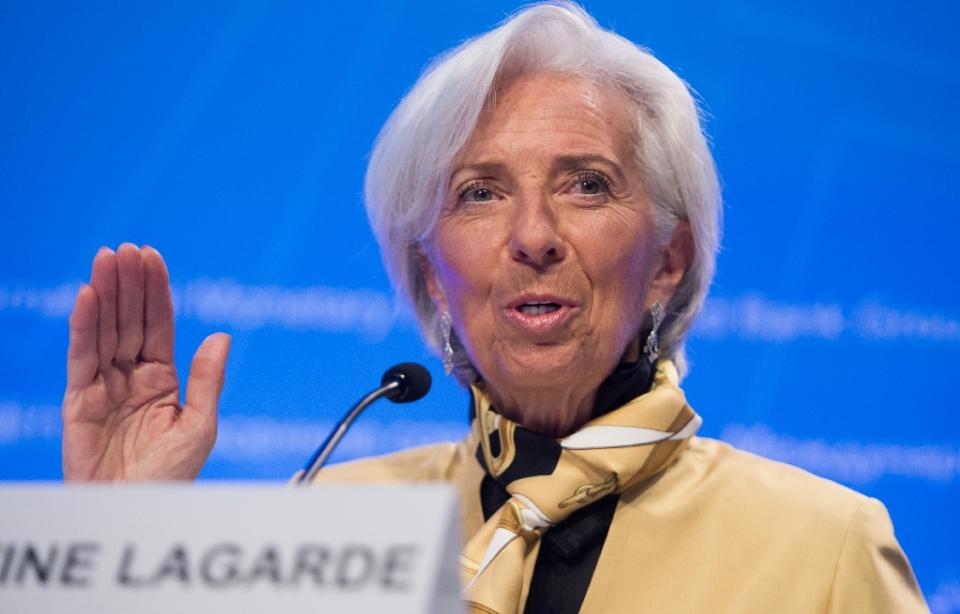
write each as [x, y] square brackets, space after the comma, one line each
[402, 383]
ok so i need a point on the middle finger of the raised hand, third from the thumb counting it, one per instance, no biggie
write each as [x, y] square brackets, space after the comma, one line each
[129, 304]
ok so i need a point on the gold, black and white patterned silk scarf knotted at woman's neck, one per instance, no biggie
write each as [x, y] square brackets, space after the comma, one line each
[550, 479]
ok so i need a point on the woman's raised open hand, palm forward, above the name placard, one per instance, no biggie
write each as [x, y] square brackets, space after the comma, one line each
[122, 417]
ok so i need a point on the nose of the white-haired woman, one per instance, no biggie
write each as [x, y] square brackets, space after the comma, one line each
[534, 236]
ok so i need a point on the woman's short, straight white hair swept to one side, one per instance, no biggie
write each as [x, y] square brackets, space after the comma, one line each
[412, 161]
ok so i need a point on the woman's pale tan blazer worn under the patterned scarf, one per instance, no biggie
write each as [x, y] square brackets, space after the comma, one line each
[720, 531]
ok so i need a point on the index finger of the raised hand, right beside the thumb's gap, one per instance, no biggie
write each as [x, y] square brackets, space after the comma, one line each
[158, 309]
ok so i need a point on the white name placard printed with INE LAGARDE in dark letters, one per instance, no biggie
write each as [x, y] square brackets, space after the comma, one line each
[228, 548]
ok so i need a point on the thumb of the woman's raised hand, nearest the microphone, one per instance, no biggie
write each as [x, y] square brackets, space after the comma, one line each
[206, 382]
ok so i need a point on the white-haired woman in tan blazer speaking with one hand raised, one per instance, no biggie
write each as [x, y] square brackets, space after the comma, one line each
[545, 198]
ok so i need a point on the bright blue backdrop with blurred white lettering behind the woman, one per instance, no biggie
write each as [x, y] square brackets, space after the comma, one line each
[233, 137]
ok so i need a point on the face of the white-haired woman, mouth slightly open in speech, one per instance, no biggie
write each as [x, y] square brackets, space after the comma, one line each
[545, 251]
